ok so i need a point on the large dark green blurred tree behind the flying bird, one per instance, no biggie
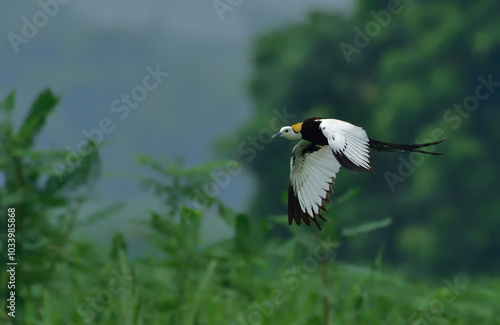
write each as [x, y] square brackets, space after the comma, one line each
[407, 72]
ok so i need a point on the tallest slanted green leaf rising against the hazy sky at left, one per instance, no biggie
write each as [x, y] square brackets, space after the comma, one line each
[44, 104]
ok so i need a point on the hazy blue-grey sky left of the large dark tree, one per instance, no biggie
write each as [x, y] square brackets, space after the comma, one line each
[91, 53]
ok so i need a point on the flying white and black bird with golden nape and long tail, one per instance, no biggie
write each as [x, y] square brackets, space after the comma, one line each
[328, 144]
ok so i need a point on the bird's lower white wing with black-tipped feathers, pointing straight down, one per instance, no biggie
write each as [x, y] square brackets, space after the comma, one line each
[313, 170]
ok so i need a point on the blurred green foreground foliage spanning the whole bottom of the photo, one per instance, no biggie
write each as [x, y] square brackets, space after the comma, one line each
[247, 278]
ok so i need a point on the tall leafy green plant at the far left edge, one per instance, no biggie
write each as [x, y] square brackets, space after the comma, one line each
[45, 200]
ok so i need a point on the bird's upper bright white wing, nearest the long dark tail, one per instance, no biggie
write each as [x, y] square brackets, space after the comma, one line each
[349, 144]
